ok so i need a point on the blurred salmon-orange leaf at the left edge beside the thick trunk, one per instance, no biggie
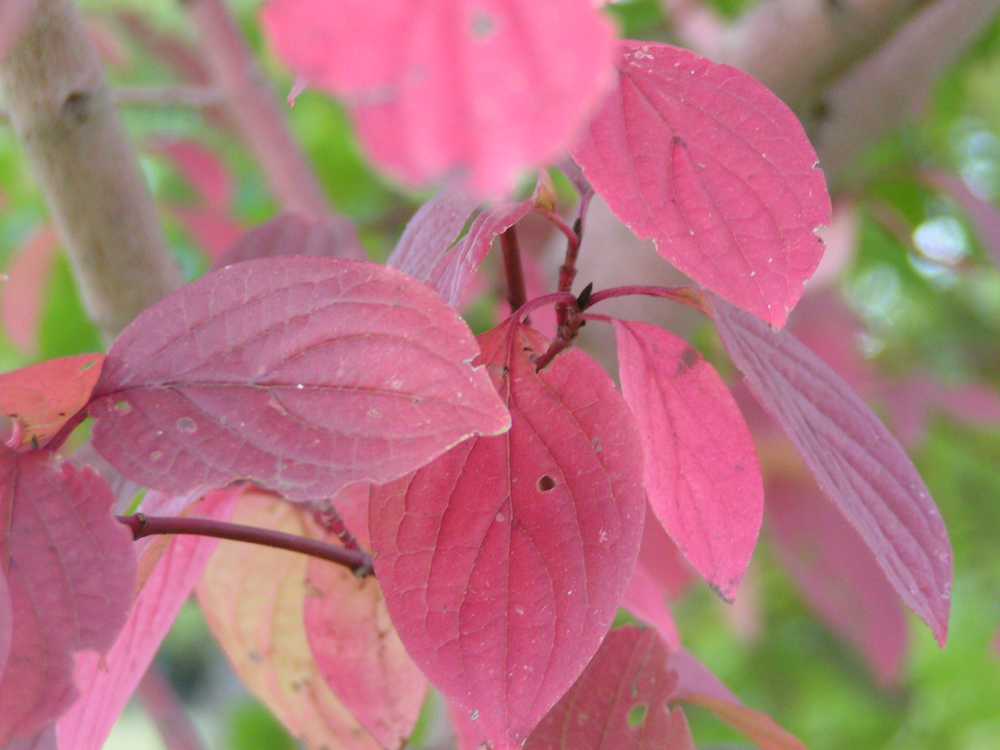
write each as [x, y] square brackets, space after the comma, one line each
[23, 294]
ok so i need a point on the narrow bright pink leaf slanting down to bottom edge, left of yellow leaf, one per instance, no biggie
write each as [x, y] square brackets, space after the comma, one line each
[108, 682]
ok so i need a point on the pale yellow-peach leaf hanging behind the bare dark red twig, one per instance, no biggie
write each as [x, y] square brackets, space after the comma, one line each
[254, 601]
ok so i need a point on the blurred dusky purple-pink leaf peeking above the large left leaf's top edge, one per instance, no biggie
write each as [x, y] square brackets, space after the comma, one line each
[291, 234]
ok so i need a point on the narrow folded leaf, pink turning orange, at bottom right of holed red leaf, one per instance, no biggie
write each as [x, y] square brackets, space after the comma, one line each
[698, 686]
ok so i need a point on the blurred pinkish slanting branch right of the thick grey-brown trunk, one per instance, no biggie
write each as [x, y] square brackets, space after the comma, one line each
[255, 110]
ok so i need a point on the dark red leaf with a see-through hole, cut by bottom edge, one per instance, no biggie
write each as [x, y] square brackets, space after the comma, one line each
[621, 701]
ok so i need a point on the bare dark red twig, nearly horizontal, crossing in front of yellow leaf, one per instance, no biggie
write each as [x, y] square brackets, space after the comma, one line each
[142, 525]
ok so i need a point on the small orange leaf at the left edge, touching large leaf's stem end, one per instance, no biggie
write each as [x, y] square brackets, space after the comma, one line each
[43, 397]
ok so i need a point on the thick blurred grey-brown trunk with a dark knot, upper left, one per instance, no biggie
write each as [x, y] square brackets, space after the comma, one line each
[60, 107]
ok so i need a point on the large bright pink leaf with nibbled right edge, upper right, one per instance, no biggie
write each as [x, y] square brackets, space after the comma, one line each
[713, 167]
